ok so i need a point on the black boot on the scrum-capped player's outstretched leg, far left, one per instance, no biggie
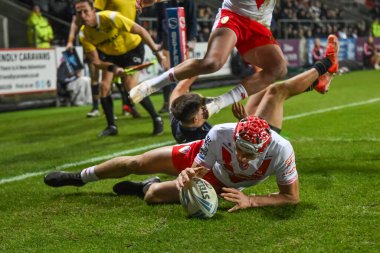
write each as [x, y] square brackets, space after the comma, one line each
[61, 178]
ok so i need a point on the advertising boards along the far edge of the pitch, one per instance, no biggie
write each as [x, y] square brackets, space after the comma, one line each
[28, 76]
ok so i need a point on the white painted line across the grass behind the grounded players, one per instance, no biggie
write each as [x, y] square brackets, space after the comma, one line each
[156, 145]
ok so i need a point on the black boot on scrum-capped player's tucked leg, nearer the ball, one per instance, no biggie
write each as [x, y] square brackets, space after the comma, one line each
[134, 188]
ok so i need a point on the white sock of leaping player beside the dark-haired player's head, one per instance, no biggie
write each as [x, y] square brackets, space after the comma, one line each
[235, 95]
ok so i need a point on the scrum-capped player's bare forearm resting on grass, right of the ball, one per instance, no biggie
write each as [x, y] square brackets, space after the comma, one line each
[288, 194]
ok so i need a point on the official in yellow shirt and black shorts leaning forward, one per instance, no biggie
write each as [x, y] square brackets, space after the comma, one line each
[112, 42]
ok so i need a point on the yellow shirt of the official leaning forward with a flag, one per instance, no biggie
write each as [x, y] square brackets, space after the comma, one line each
[111, 35]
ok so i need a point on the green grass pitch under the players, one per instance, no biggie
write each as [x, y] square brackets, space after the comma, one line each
[336, 138]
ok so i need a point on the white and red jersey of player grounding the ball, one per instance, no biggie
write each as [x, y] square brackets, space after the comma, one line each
[218, 153]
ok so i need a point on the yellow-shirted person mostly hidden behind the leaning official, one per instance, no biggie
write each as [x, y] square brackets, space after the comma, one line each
[128, 9]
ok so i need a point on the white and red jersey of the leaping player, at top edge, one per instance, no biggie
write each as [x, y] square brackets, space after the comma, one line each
[259, 10]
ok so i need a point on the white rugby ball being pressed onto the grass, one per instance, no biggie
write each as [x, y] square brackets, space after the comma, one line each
[199, 198]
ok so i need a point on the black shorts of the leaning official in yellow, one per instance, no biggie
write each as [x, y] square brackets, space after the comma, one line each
[131, 58]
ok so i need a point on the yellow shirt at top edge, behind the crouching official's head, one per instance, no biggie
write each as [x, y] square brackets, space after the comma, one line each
[127, 8]
